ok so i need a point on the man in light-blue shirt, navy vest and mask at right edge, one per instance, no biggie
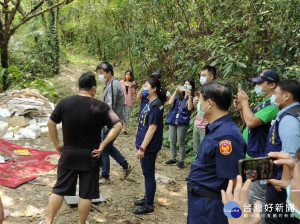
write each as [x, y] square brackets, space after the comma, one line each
[284, 136]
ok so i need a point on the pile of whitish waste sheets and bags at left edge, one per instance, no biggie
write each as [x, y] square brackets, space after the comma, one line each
[24, 114]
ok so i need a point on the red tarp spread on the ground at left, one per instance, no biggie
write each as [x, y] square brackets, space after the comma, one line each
[21, 169]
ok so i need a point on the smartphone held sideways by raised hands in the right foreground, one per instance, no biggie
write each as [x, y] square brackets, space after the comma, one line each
[257, 169]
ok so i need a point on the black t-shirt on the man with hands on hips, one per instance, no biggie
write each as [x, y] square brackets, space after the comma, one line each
[82, 120]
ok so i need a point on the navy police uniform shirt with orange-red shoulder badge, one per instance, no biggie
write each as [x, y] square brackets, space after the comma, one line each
[217, 160]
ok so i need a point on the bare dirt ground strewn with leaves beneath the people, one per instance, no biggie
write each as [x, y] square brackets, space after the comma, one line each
[28, 202]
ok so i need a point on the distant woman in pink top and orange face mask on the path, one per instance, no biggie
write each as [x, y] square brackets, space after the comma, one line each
[129, 88]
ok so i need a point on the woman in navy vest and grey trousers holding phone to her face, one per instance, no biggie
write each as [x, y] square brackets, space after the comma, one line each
[178, 119]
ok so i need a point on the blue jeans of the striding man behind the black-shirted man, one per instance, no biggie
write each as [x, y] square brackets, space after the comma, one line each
[110, 150]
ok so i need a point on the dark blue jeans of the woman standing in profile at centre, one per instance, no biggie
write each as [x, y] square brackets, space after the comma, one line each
[148, 168]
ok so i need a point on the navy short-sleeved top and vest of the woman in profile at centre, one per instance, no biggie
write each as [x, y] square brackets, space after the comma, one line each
[151, 114]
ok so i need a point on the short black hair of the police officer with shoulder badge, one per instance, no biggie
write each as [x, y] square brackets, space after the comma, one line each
[219, 92]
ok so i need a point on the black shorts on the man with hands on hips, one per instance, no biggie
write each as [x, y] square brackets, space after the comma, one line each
[67, 180]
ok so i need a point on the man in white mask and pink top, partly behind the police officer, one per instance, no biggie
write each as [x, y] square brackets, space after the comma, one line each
[208, 73]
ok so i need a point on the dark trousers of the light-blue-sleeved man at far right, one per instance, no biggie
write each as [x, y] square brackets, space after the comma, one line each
[273, 198]
